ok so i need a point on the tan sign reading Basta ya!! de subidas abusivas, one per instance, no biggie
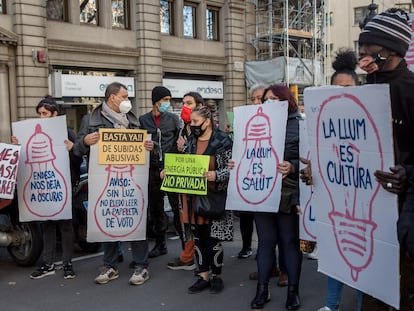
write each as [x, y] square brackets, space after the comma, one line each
[121, 146]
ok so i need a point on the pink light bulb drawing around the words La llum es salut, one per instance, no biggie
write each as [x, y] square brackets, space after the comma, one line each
[257, 170]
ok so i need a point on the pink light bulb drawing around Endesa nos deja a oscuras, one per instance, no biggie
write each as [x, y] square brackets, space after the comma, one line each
[45, 192]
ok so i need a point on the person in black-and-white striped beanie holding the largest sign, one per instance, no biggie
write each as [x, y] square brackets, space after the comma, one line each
[383, 44]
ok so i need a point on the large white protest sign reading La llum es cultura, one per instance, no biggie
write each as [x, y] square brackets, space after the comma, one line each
[350, 136]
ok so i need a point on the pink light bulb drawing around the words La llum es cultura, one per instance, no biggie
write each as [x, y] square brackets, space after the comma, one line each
[352, 150]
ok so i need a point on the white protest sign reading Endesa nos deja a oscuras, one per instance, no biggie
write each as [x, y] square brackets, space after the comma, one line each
[44, 183]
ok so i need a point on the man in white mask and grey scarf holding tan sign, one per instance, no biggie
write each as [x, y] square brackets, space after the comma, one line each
[114, 112]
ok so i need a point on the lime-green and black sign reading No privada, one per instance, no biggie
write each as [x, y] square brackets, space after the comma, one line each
[184, 173]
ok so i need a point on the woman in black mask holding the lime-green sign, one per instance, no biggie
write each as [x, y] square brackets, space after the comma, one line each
[208, 140]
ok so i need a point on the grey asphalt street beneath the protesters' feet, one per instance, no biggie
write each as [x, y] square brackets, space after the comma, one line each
[165, 290]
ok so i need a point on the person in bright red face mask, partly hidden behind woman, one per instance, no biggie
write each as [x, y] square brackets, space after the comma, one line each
[185, 261]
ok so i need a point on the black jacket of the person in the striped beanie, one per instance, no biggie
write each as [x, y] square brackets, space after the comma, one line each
[401, 82]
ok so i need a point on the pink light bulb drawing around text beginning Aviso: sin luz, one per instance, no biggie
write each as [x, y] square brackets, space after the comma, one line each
[119, 209]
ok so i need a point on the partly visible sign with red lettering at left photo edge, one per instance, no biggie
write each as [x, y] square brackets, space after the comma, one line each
[9, 162]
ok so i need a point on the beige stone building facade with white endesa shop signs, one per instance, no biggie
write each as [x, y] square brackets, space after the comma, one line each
[72, 49]
